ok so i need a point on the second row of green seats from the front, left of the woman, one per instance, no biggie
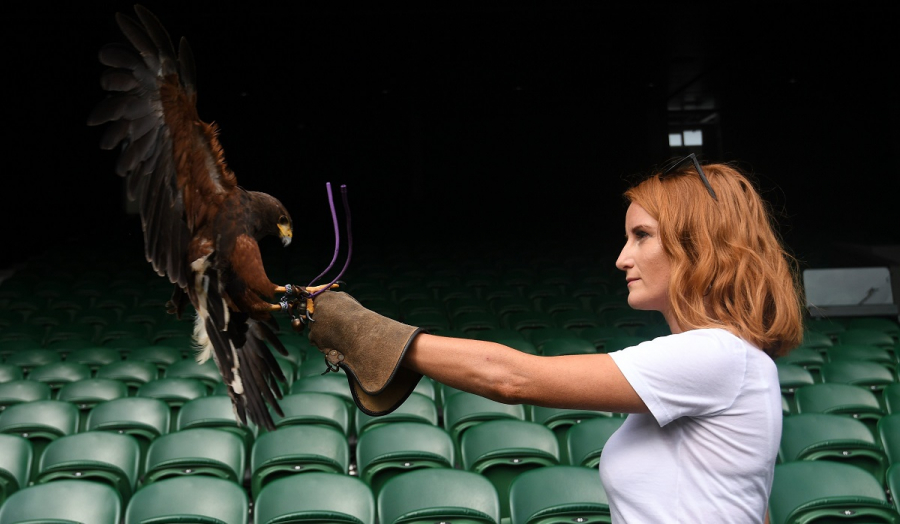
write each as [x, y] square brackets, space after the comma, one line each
[498, 448]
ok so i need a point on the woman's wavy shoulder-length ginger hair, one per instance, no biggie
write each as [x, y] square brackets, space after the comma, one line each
[729, 268]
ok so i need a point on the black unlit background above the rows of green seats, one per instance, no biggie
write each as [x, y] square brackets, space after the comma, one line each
[453, 123]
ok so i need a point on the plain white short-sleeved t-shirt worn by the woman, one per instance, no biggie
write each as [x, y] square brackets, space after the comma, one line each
[706, 451]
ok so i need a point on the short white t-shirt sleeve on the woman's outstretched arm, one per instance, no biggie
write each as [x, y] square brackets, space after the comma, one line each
[691, 374]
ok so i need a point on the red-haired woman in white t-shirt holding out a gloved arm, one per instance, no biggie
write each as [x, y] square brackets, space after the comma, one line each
[704, 427]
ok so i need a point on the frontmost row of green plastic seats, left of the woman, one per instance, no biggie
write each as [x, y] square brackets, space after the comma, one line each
[425, 495]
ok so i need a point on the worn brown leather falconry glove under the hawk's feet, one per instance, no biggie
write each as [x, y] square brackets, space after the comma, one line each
[368, 347]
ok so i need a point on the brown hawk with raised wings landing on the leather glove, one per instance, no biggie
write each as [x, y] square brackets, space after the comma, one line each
[200, 227]
